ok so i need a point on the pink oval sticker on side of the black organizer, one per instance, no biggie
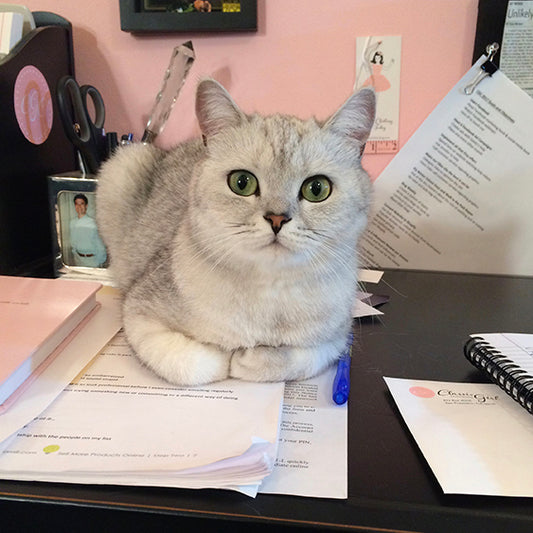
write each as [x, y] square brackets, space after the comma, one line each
[33, 105]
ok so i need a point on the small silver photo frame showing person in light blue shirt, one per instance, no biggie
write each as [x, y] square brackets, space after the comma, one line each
[77, 246]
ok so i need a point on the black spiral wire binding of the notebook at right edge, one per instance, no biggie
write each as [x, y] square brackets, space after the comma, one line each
[509, 376]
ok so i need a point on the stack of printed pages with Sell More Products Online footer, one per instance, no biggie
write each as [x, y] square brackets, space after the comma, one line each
[118, 423]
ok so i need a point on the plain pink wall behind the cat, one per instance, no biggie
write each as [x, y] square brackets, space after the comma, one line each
[300, 61]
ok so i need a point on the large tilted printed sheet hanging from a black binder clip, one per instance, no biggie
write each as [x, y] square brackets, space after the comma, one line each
[457, 197]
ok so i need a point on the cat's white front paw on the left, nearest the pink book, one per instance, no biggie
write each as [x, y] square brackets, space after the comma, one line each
[172, 355]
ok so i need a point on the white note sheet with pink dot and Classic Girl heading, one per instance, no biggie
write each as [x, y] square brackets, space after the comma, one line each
[476, 439]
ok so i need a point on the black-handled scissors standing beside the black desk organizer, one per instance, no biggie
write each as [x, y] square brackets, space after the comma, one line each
[86, 134]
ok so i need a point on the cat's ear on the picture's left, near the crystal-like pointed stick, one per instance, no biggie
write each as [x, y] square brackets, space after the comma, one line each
[215, 109]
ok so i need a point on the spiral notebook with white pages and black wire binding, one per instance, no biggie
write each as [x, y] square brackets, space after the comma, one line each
[507, 358]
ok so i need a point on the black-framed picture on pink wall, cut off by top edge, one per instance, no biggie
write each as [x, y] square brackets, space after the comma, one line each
[188, 15]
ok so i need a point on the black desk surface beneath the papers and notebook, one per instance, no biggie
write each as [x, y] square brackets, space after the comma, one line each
[391, 487]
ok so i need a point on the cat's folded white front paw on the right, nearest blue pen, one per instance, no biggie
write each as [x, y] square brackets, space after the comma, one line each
[265, 363]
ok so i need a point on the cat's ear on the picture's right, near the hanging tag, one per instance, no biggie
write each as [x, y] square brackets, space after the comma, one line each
[356, 117]
